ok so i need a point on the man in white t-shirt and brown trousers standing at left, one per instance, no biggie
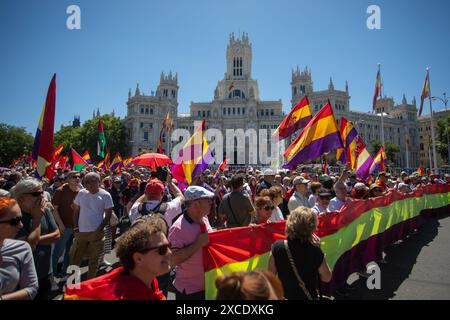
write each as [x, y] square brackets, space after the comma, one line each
[92, 212]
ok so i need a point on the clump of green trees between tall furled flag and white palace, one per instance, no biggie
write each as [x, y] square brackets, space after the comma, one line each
[85, 137]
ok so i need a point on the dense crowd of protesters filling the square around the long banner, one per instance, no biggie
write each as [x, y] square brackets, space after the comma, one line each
[158, 231]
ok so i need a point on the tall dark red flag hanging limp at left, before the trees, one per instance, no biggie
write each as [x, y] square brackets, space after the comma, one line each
[43, 141]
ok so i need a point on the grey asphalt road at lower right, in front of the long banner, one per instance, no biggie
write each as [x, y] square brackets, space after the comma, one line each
[416, 268]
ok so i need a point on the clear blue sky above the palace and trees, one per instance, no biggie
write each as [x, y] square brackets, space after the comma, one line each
[122, 43]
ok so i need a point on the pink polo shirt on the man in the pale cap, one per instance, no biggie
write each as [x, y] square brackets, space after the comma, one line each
[190, 275]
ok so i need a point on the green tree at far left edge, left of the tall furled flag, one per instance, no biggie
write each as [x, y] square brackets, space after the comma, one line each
[14, 142]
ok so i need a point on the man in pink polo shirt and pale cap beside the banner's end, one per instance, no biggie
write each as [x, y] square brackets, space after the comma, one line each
[188, 235]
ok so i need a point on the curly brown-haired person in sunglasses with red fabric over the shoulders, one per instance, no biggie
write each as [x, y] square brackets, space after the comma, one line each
[144, 253]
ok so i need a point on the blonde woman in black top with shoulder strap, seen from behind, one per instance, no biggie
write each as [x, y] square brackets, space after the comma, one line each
[298, 261]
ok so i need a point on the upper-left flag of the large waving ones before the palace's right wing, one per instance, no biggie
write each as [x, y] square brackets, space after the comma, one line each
[298, 118]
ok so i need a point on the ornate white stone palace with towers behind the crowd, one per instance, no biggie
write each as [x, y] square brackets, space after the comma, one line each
[237, 105]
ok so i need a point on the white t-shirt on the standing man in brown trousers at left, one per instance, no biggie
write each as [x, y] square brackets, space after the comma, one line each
[92, 208]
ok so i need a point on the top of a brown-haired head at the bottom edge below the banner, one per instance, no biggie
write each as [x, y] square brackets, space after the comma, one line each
[253, 285]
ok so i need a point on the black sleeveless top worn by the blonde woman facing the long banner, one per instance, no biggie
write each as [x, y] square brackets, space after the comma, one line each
[307, 259]
